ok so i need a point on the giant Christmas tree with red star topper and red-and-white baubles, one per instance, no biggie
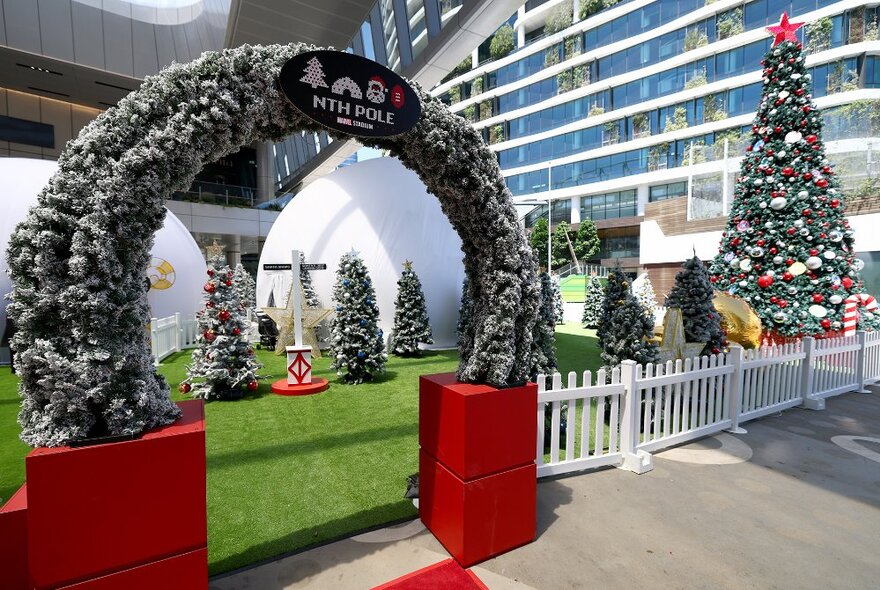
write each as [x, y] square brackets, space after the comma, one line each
[788, 248]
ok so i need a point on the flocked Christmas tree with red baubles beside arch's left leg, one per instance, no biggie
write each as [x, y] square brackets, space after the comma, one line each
[223, 363]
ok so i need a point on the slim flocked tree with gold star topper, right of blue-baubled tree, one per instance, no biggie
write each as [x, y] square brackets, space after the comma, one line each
[411, 323]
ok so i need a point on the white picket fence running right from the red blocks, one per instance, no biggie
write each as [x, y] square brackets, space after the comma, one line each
[656, 406]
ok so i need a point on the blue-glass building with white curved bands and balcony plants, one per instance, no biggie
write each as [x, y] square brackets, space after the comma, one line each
[606, 108]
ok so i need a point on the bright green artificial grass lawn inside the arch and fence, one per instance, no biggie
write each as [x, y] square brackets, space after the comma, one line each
[285, 473]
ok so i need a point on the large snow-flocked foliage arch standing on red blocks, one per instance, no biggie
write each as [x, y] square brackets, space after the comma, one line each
[78, 260]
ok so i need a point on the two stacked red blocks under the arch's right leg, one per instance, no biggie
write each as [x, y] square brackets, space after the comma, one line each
[477, 474]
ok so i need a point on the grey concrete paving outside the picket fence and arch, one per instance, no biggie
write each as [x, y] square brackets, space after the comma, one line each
[795, 503]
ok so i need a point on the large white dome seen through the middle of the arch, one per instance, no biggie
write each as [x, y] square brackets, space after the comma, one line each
[383, 211]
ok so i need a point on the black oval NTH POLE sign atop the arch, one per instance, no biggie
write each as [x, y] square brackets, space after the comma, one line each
[350, 93]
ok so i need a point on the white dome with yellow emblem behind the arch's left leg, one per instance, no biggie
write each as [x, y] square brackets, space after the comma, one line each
[177, 268]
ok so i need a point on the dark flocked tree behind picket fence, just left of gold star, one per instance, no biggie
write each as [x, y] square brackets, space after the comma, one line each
[625, 327]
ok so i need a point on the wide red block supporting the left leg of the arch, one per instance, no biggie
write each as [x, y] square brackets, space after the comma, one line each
[135, 510]
